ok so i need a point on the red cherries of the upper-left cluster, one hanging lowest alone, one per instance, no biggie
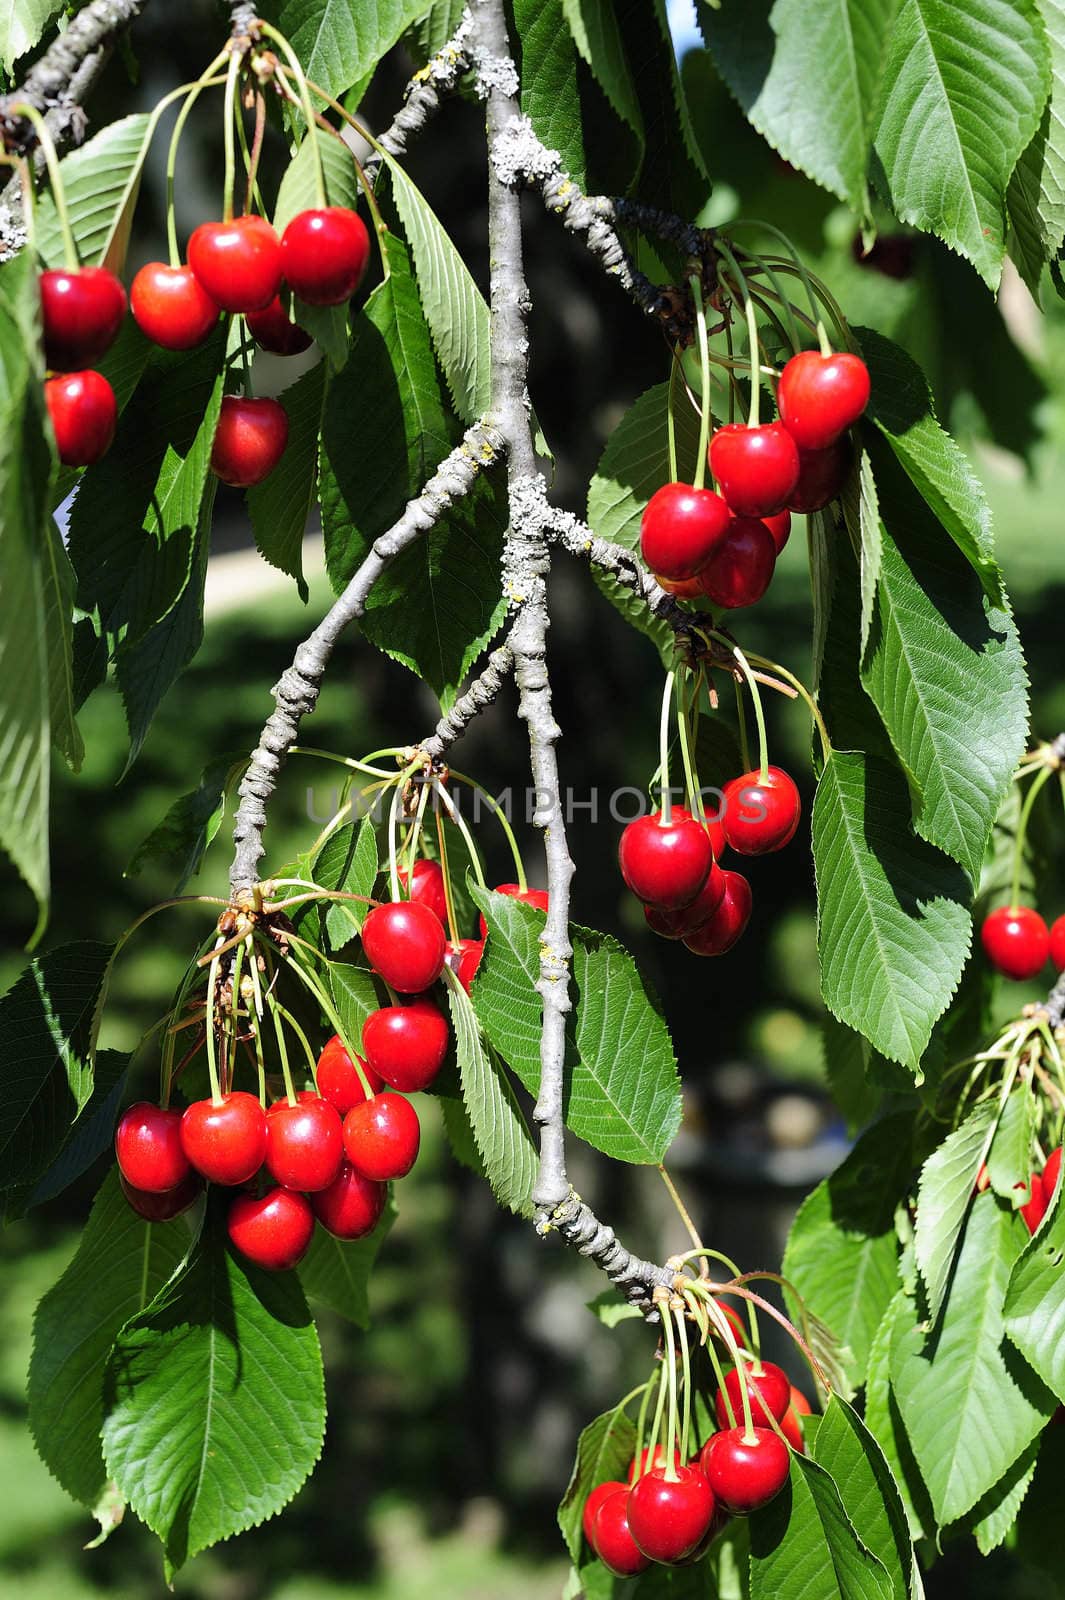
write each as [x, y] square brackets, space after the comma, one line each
[236, 266]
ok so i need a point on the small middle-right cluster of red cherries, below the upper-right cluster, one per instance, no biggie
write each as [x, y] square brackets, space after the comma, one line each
[671, 860]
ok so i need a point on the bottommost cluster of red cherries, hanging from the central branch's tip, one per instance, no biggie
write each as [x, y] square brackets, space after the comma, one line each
[669, 1513]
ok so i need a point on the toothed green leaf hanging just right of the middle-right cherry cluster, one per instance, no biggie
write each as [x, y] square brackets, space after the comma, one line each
[893, 929]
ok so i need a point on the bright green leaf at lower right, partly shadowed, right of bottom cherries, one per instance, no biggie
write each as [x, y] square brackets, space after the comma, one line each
[949, 1385]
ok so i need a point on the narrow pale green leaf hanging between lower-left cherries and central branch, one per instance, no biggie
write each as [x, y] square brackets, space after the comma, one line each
[500, 1127]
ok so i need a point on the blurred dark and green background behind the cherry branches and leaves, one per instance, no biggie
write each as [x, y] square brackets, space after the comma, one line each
[453, 1420]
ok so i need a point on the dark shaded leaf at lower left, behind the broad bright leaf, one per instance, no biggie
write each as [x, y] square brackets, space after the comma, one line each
[121, 1265]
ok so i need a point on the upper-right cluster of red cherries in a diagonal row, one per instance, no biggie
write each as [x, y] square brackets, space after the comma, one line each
[725, 545]
